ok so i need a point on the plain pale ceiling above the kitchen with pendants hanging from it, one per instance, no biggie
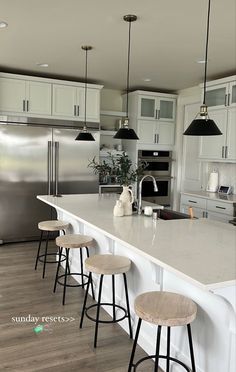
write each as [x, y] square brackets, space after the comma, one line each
[167, 40]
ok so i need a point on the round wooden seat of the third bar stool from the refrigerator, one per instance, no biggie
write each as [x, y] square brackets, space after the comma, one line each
[107, 264]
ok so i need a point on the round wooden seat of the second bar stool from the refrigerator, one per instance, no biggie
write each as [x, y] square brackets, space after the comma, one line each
[74, 241]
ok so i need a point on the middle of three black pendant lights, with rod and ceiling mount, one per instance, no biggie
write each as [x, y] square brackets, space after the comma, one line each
[125, 132]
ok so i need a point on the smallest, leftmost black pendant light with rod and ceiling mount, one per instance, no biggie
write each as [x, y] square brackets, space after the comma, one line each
[84, 135]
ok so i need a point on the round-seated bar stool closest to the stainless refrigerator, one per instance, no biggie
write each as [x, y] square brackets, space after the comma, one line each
[48, 226]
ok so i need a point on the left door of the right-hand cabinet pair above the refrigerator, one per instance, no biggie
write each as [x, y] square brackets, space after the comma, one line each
[64, 101]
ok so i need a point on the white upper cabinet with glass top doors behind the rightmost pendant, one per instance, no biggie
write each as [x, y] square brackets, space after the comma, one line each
[221, 101]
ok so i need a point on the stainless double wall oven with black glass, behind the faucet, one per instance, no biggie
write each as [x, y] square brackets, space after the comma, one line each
[159, 166]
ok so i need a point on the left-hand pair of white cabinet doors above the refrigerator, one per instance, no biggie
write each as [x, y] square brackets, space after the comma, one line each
[25, 97]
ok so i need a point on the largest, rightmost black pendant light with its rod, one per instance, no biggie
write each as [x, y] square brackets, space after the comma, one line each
[204, 126]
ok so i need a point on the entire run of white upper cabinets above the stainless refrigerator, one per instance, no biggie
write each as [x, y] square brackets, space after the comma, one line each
[33, 96]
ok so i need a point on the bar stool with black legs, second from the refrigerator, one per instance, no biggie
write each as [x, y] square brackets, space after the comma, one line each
[72, 241]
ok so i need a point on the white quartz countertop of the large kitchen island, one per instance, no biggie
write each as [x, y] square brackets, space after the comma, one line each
[201, 251]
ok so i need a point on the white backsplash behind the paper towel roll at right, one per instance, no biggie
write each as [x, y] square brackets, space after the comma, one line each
[227, 173]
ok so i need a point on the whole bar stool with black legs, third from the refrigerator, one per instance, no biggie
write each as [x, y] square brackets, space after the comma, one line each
[106, 264]
